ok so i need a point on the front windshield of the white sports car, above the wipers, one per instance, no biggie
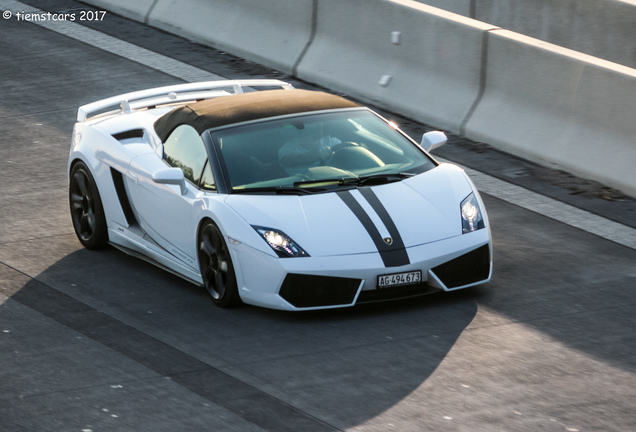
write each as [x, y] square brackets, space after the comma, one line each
[317, 152]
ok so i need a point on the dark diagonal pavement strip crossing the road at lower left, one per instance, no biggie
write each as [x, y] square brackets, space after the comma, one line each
[213, 384]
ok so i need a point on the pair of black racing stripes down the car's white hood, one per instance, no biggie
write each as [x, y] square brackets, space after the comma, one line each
[393, 255]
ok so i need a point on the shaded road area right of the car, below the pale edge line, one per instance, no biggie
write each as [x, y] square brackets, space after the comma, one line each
[571, 286]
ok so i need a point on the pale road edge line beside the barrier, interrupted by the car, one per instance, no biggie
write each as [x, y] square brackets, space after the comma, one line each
[487, 184]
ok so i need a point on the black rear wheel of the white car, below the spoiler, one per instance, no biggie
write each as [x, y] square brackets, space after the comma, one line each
[87, 212]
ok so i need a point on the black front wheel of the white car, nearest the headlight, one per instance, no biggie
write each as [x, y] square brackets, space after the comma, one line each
[216, 267]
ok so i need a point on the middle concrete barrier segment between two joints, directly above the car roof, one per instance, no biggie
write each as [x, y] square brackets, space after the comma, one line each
[430, 72]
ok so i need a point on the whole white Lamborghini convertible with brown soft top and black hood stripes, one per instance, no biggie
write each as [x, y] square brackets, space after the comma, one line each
[274, 196]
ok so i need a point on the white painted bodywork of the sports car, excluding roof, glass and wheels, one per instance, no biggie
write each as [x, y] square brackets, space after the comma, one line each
[425, 210]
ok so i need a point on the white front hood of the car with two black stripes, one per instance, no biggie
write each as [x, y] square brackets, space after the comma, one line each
[418, 210]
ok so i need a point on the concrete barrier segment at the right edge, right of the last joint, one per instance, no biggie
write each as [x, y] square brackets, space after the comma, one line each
[559, 107]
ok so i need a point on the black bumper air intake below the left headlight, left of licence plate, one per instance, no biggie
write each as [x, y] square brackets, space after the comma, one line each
[315, 291]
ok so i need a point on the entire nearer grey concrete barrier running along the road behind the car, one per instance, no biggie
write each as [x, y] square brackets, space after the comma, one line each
[528, 97]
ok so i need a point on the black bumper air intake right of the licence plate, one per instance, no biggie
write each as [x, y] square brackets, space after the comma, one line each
[464, 270]
